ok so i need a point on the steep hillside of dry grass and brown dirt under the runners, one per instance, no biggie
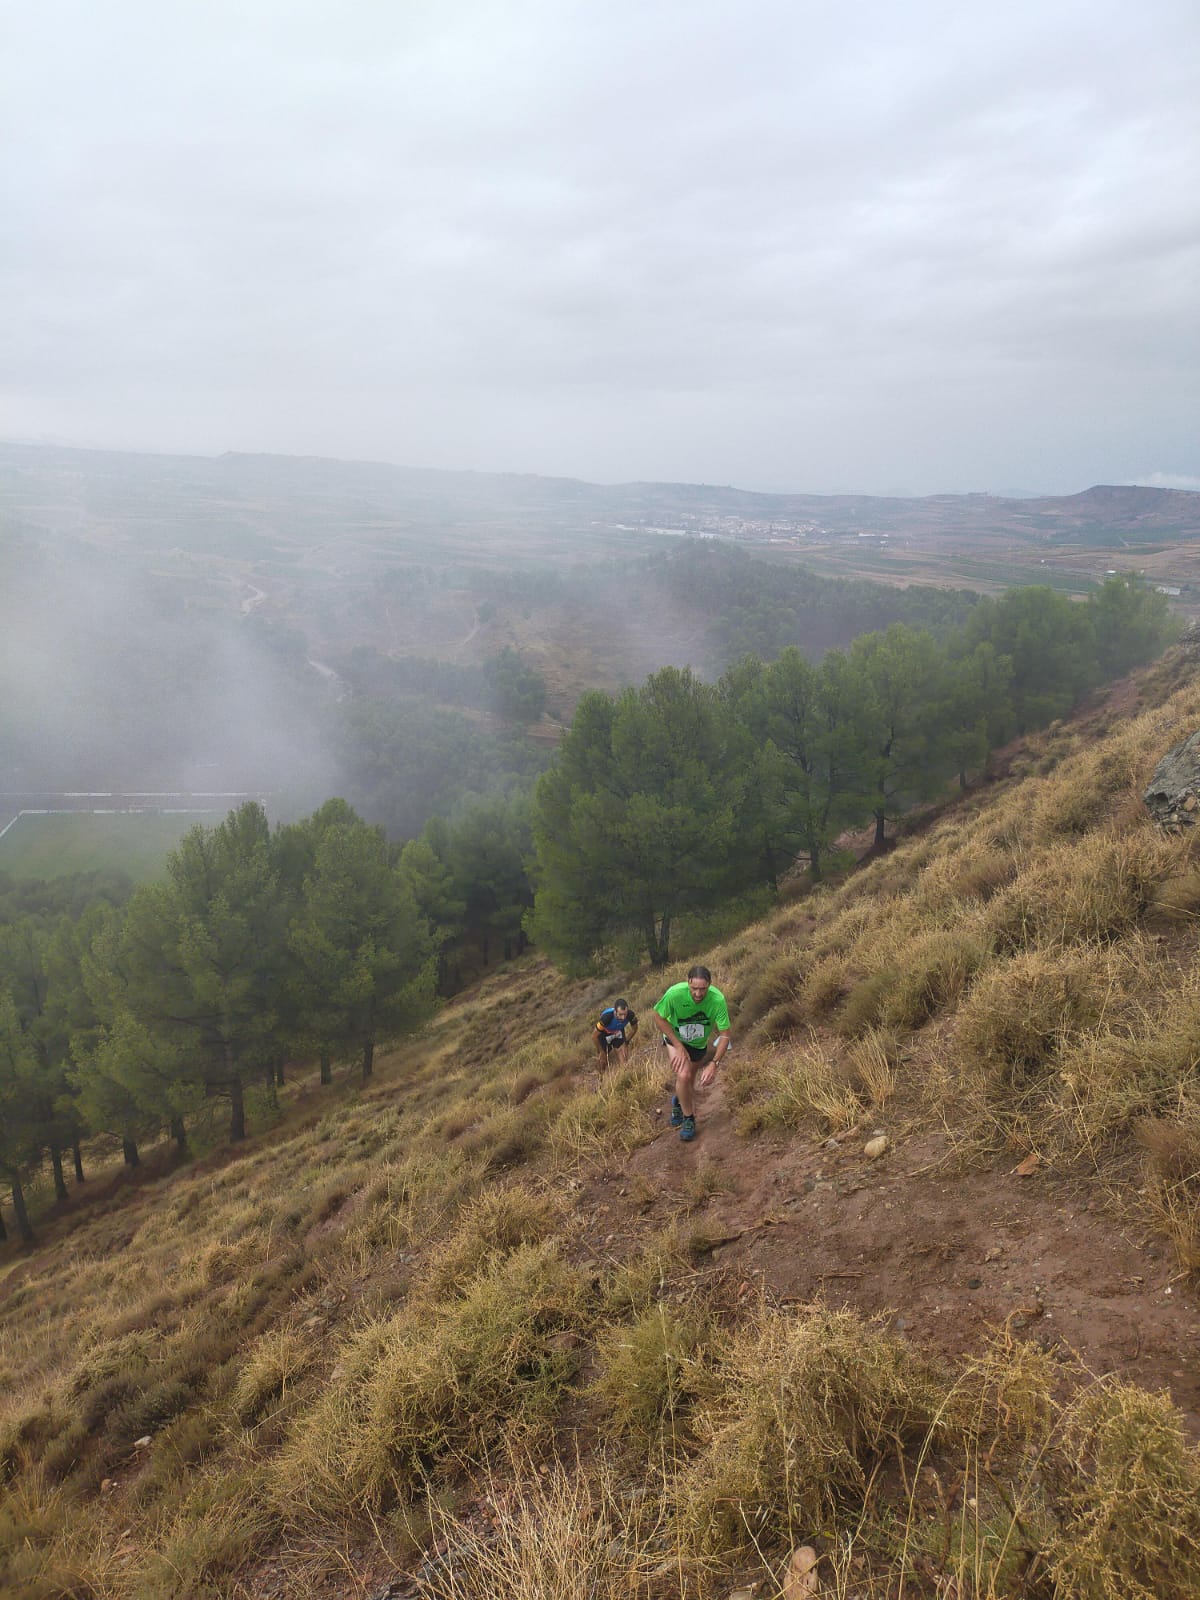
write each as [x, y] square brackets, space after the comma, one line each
[966, 1366]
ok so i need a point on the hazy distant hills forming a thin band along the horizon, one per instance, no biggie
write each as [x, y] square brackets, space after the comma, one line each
[41, 482]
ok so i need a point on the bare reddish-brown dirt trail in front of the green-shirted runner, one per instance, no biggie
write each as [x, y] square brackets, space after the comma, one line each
[946, 1255]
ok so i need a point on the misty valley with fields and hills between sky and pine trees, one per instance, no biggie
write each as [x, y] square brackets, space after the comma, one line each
[302, 628]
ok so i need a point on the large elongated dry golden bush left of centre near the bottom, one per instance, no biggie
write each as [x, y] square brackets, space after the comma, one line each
[436, 1385]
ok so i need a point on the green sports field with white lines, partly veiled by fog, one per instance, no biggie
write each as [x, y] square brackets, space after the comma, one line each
[54, 847]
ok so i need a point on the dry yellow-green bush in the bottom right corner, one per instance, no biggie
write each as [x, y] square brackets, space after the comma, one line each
[1127, 1498]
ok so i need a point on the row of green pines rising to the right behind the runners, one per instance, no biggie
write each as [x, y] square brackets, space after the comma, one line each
[676, 796]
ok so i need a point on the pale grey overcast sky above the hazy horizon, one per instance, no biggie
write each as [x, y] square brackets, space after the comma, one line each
[878, 247]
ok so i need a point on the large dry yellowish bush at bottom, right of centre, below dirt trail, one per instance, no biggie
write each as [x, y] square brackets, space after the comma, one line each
[791, 1423]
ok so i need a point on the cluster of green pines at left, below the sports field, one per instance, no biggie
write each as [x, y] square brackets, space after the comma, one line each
[124, 1010]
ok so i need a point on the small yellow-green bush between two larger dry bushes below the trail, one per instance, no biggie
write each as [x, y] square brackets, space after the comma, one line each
[642, 1372]
